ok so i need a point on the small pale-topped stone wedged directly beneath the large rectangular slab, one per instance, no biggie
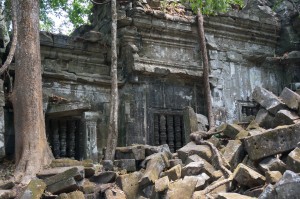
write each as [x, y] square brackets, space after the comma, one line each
[272, 164]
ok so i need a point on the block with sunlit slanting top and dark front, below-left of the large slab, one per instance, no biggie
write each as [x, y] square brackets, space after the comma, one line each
[247, 176]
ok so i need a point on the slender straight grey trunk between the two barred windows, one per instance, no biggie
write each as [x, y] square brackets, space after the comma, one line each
[114, 103]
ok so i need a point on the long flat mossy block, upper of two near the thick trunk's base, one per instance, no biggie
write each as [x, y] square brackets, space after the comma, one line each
[76, 173]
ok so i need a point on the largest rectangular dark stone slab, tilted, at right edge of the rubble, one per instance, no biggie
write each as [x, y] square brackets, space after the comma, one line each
[274, 141]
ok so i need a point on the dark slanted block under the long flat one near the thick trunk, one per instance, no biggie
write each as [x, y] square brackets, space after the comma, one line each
[64, 186]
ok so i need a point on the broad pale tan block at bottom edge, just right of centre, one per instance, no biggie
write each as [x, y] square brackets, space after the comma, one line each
[183, 188]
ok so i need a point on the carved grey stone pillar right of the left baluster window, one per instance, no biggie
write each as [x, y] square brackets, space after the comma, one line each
[89, 122]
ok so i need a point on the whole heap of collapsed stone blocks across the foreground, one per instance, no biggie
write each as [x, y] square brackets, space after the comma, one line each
[261, 160]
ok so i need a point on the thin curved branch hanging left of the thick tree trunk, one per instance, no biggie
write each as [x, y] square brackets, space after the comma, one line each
[14, 41]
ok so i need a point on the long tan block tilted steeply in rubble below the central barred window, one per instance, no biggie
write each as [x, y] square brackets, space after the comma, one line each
[155, 166]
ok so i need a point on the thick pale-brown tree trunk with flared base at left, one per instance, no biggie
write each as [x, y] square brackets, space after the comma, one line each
[32, 151]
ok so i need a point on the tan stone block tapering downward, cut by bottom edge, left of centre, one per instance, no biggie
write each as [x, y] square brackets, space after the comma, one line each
[129, 183]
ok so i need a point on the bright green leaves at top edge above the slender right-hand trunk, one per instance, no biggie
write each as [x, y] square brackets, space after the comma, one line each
[211, 7]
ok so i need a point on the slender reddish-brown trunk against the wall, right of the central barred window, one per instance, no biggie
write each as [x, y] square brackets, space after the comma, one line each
[207, 90]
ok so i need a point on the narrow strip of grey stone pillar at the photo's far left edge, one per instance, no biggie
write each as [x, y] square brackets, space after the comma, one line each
[2, 127]
